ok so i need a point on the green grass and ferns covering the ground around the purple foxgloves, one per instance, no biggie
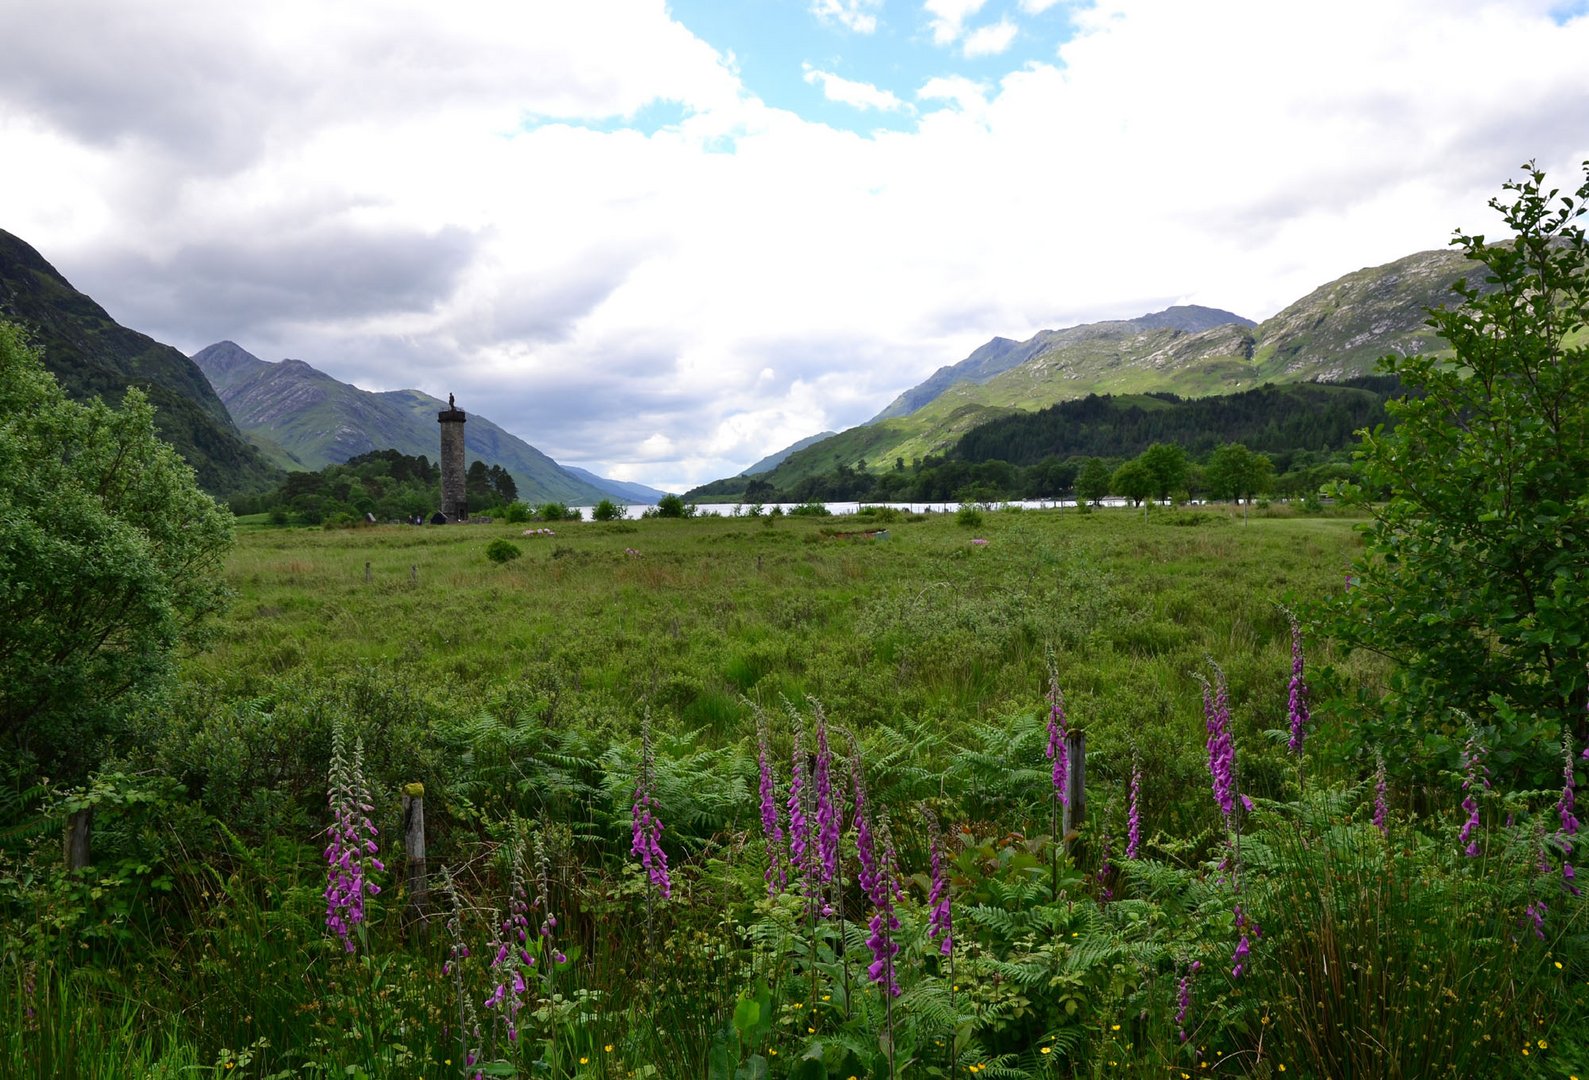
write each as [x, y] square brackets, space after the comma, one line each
[517, 695]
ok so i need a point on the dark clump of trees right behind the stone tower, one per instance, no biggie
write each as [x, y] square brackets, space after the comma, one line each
[382, 484]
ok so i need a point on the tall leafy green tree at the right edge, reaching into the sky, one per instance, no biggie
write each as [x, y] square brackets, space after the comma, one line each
[1475, 580]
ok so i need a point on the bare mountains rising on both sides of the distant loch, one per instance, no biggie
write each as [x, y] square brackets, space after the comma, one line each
[241, 422]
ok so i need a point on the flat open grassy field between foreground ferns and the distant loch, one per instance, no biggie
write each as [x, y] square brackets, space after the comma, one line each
[690, 617]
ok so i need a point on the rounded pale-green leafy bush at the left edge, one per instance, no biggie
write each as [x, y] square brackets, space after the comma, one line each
[110, 563]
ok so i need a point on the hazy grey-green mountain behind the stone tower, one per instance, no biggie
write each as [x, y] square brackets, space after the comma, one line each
[314, 422]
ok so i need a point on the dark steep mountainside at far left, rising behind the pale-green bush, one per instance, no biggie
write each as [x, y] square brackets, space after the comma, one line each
[95, 357]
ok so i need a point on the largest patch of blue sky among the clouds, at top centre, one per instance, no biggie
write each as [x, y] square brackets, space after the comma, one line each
[864, 82]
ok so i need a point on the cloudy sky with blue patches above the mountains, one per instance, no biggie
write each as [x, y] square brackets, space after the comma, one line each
[662, 241]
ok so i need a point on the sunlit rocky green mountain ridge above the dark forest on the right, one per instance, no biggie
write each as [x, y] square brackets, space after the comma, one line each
[1336, 333]
